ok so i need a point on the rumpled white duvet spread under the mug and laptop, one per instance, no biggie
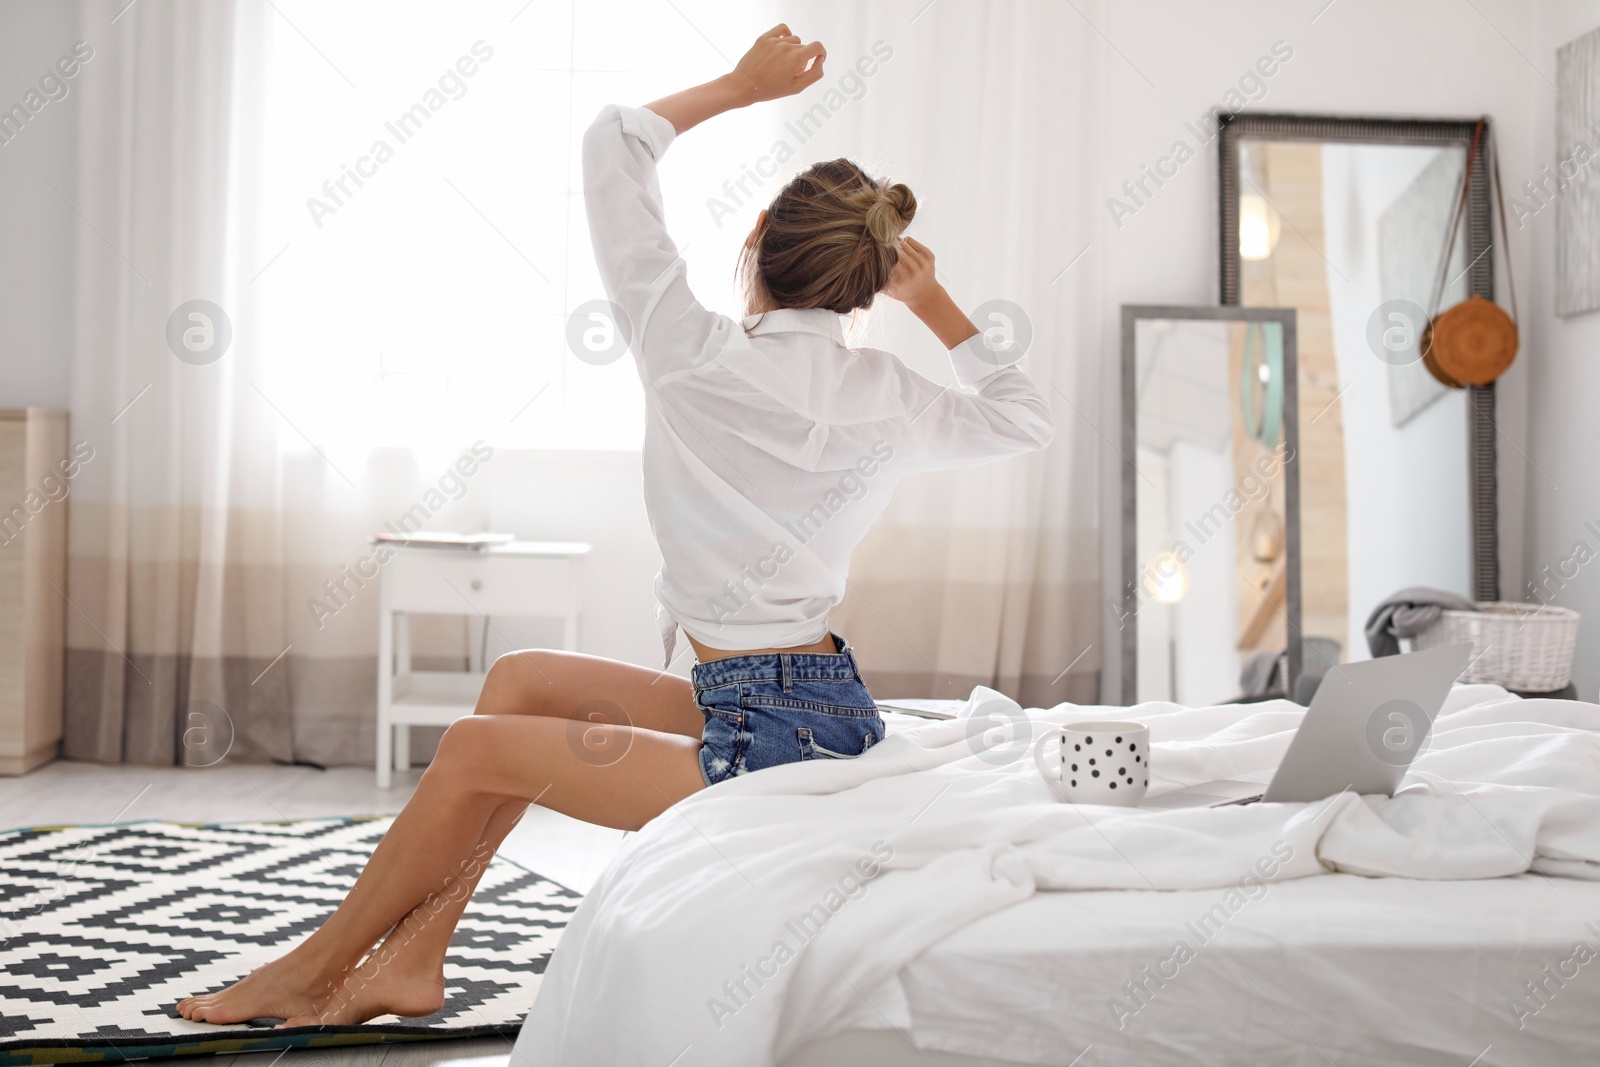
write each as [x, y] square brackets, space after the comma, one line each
[756, 916]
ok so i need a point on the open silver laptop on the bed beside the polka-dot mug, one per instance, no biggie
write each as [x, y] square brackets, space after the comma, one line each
[1361, 733]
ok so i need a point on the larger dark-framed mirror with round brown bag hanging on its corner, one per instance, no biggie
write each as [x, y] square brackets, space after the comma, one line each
[1348, 222]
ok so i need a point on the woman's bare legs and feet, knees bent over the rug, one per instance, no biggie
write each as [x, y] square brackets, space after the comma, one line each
[574, 753]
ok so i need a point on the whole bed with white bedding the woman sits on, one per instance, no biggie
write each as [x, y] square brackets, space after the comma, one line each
[1455, 924]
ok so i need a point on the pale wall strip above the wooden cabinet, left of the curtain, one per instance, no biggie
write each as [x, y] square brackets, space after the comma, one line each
[38, 228]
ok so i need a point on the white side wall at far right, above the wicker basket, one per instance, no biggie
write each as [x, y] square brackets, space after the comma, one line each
[1562, 361]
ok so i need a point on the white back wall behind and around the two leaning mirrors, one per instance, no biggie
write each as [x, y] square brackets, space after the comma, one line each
[1356, 58]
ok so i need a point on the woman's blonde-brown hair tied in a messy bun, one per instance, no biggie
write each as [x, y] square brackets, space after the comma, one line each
[831, 239]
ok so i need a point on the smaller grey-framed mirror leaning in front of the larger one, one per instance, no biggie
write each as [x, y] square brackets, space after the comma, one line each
[1210, 553]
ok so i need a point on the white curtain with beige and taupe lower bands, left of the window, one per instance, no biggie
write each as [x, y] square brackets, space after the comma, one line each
[207, 522]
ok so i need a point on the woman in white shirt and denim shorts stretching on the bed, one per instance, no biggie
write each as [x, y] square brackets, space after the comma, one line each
[770, 449]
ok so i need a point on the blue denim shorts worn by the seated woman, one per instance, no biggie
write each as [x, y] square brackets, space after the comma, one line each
[782, 708]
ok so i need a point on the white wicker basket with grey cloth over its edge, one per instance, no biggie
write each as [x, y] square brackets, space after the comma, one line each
[1514, 645]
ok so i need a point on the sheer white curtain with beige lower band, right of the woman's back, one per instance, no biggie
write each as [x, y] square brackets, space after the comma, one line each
[991, 575]
